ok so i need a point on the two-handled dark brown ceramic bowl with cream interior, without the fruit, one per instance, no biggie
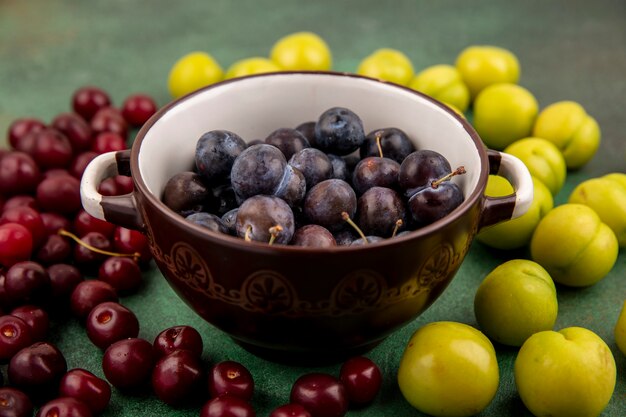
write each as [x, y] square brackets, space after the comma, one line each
[282, 301]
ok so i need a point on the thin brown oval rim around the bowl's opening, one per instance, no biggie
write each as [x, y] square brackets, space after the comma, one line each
[234, 242]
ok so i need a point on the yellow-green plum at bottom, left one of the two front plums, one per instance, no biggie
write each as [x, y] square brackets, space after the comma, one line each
[449, 369]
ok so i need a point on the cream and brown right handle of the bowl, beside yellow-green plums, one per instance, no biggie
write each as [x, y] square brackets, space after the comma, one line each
[498, 209]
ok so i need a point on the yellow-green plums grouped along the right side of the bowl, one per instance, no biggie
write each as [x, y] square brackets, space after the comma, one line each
[516, 303]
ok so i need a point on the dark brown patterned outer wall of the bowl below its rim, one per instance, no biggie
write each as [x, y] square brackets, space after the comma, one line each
[327, 303]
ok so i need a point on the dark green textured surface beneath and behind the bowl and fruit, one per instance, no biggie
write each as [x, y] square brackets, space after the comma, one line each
[568, 50]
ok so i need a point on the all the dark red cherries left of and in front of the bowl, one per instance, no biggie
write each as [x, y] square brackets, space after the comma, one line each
[57, 260]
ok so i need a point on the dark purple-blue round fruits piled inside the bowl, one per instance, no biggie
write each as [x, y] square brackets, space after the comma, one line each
[315, 184]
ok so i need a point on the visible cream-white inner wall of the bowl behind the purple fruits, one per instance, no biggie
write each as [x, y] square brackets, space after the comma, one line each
[254, 107]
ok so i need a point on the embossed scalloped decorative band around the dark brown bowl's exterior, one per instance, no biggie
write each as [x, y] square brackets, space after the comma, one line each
[269, 292]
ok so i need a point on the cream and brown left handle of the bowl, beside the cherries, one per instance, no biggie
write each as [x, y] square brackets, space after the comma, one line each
[120, 210]
